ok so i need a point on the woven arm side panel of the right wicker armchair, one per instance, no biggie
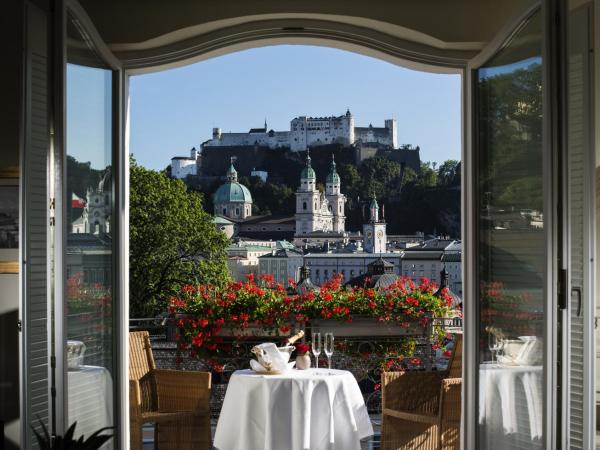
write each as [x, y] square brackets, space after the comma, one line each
[412, 392]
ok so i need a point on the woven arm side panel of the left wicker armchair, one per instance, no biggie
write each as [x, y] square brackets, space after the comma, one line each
[182, 390]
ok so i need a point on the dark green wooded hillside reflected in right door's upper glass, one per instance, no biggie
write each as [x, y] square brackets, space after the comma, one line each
[511, 139]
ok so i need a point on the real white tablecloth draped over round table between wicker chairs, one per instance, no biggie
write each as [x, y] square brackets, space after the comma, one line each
[303, 409]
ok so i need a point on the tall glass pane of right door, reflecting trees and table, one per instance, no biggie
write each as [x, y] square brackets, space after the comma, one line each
[511, 255]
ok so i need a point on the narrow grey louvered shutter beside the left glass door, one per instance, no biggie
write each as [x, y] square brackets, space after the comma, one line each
[35, 227]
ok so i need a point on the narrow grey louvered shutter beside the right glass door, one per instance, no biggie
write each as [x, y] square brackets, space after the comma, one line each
[579, 335]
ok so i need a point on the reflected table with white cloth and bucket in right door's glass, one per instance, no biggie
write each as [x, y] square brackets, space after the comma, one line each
[510, 391]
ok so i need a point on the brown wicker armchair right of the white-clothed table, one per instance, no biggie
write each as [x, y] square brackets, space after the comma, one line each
[421, 410]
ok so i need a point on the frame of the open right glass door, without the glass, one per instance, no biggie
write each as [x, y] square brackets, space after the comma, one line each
[470, 231]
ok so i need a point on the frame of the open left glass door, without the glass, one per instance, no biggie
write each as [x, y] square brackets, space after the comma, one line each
[62, 9]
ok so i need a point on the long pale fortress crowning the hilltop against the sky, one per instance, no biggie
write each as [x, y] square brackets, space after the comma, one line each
[310, 131]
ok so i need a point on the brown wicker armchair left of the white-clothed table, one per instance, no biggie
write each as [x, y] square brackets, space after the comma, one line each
[177, 402]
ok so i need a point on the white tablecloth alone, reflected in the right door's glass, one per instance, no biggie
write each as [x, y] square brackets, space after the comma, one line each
[510, 405]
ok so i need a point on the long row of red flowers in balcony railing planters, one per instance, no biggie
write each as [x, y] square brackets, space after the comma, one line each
[203, 312]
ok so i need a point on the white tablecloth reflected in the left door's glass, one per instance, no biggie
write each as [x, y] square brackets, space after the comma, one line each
[90, 400]
